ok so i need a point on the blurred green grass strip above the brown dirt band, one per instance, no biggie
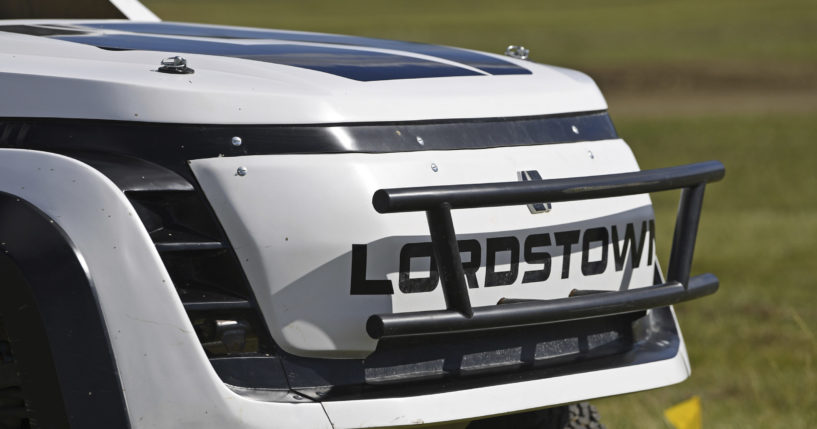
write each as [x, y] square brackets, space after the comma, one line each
[589, 31]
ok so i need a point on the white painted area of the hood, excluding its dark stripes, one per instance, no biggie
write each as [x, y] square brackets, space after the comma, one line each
[50, 78]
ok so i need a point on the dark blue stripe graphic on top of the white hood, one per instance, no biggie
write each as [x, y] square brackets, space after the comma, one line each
[345, 61]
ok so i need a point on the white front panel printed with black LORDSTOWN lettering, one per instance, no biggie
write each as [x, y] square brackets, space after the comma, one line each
[293, 219]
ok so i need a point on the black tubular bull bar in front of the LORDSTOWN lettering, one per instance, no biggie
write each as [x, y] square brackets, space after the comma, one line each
[459, 316]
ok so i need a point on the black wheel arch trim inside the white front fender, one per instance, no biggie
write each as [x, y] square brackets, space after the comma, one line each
[56, 327]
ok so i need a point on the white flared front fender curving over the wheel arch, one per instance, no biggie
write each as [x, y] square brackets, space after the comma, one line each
[166, 379]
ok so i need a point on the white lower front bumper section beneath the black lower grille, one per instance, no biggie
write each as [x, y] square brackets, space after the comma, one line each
[658, 358]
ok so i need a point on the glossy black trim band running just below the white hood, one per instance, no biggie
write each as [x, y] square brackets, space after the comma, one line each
[172, 145]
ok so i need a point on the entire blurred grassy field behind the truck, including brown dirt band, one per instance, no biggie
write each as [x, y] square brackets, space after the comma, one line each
[685, 81]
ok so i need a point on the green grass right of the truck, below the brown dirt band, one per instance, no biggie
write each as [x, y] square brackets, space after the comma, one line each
[752, 345]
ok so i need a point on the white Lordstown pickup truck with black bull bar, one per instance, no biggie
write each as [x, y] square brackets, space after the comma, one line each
[221, 227]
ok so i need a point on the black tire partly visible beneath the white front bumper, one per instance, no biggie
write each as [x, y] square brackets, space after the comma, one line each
[575, 416]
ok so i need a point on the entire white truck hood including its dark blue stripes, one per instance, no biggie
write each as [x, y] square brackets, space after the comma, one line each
[109, 70]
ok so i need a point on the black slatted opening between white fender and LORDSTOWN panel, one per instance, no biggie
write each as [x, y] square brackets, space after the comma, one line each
[211, 285]
